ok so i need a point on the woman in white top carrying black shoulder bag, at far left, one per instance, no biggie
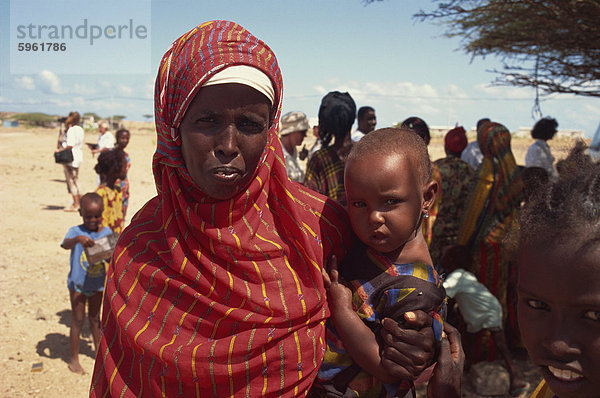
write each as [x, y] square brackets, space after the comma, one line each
[74, 140]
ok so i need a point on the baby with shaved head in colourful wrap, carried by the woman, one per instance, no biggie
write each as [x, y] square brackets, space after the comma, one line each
[389, 190]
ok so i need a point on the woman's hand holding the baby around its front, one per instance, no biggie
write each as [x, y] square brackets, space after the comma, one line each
[409, 349]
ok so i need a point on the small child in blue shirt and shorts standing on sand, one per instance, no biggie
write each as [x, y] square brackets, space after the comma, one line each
[85, 281]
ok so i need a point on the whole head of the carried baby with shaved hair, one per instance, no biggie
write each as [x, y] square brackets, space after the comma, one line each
[389, 188]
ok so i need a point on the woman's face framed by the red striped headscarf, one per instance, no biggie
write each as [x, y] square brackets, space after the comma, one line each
[223, 134]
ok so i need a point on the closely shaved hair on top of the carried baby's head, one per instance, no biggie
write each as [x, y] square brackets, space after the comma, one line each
[395, 141]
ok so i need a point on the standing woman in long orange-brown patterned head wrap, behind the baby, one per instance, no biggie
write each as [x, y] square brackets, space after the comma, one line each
[491, 211]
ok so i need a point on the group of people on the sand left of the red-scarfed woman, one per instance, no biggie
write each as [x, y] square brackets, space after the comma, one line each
[103, 214]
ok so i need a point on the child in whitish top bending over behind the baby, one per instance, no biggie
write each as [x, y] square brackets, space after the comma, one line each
[479, 308]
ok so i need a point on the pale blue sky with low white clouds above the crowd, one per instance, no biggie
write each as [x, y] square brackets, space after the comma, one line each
[377, 52]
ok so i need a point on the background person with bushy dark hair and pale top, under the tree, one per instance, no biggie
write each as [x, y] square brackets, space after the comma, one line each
[538, 154]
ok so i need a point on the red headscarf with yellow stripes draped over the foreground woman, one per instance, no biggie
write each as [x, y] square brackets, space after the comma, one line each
[217, 298]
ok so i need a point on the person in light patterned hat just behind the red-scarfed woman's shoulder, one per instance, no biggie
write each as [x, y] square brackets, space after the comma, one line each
[294, 126]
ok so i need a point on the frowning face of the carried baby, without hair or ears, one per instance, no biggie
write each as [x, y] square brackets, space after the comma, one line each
[385, 200]
